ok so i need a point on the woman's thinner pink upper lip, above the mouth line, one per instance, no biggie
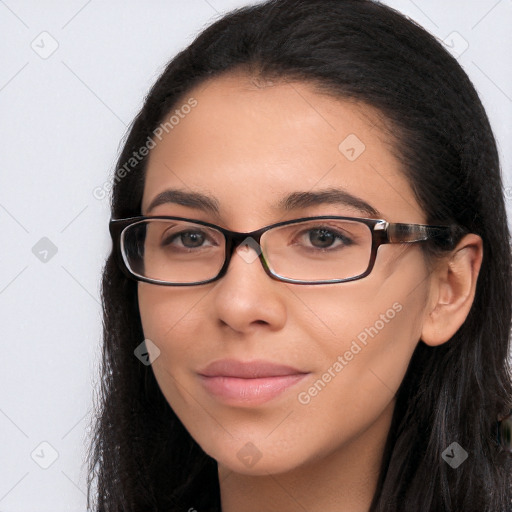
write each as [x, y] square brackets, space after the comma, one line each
[247, 370]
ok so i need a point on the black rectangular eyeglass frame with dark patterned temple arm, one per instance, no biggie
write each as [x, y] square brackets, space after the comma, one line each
[383, 232]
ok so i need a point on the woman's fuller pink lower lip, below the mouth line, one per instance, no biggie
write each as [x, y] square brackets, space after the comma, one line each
[249, 391]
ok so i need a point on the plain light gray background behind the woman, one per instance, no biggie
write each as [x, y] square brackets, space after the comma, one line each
[62, 119]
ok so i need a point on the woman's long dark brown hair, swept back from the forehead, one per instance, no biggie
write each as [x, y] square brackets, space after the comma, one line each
[141, 457]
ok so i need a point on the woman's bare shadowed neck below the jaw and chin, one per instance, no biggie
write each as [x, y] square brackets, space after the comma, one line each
[342, 480]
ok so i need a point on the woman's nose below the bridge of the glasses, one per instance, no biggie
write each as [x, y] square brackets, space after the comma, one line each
[246, 295]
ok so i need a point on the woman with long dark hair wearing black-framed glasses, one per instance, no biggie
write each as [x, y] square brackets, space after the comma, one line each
[308, 302]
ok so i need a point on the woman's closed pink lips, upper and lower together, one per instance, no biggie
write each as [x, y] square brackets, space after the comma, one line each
[251, 383]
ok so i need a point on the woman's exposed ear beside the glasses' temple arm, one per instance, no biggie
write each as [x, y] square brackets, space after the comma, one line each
[452, 291]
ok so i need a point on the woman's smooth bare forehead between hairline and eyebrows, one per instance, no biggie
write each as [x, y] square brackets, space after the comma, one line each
[248, 144]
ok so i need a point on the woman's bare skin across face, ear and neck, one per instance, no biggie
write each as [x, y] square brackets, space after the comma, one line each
[248, 145]
